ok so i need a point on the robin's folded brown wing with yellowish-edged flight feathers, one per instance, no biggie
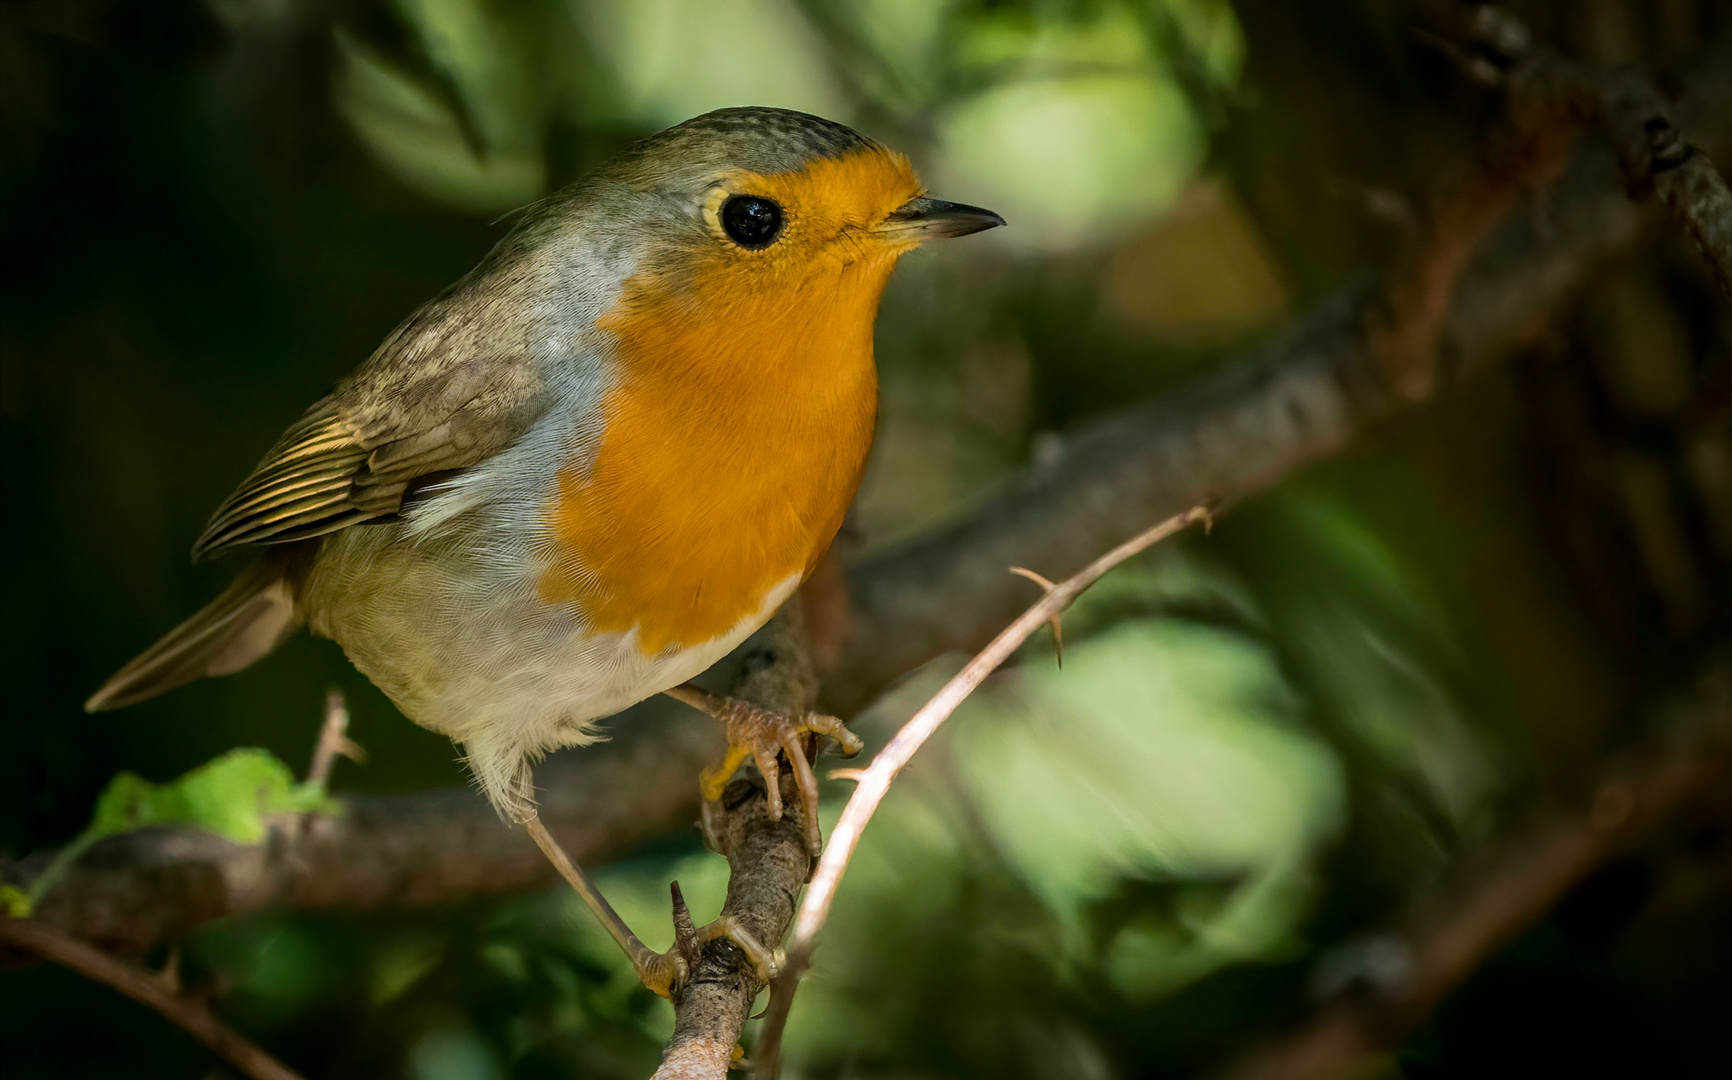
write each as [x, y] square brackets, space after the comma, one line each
[448, 390]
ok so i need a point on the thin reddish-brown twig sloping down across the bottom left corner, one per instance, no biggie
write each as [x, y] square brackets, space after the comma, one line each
[191, 1015]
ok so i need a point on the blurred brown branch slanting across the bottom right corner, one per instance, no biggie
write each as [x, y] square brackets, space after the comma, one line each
[1497, 892]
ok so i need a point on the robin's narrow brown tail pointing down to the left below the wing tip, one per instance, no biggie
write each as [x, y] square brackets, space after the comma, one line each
[249, 620]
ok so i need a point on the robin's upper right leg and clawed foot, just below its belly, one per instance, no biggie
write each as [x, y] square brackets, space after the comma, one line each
[763, 736]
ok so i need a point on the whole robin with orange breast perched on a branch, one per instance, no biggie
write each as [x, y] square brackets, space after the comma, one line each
[593, 466]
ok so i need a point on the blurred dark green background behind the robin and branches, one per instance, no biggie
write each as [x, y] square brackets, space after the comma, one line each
[1260, 743]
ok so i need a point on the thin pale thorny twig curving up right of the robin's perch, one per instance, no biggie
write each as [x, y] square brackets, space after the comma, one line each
[874, 783]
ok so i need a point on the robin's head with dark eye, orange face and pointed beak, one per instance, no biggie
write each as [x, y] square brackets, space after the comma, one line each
[747, 219]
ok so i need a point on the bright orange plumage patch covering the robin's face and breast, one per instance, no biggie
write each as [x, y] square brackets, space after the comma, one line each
[740, 418]
